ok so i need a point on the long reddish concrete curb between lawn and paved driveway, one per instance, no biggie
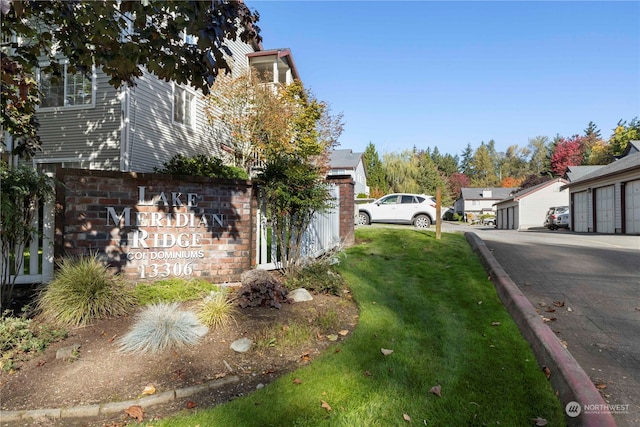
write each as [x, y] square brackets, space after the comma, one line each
[567, 377]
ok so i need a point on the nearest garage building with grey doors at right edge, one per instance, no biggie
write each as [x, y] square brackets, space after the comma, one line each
[608, 199]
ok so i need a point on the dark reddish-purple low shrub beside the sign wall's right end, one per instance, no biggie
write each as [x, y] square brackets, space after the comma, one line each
[261, 289]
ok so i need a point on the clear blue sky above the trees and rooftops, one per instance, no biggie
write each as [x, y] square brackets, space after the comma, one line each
[448, 74]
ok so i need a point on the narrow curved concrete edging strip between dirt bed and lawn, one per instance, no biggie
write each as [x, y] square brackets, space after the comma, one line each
[114, 407]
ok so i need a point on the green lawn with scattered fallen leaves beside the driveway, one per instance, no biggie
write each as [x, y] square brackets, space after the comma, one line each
[431, 303]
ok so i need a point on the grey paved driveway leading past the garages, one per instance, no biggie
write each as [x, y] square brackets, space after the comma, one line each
[597, 279]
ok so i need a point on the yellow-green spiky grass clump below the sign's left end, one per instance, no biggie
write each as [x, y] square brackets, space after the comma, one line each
[84, 290]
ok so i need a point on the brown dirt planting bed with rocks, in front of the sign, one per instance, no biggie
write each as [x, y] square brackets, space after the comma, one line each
[99, 373]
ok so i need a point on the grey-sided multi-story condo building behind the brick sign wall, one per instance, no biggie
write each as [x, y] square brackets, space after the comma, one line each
[87, 123]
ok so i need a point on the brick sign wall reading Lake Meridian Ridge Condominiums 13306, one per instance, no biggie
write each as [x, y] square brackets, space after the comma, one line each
[151, 226]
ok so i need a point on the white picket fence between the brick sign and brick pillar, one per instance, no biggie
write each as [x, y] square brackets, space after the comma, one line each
[322, 235]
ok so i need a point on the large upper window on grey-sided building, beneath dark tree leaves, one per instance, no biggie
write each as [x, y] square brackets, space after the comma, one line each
[66, 90]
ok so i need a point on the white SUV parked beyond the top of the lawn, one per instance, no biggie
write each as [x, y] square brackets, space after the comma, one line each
[399, 208]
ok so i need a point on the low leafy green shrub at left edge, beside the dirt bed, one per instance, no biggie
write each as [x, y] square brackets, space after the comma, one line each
[21, 337]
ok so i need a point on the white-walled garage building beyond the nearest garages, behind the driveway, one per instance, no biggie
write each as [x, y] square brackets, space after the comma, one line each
[527, 208]
